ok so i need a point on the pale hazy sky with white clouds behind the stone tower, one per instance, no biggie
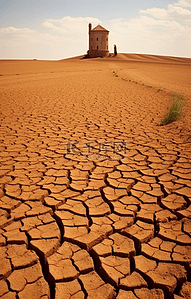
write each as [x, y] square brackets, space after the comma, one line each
[58, 29]
